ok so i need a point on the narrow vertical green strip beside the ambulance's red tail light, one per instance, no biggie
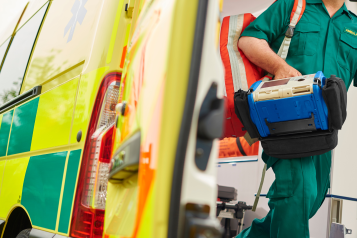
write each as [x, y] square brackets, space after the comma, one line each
[68, 191]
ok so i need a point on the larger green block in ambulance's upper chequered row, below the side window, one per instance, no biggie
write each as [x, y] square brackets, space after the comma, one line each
[22, 127]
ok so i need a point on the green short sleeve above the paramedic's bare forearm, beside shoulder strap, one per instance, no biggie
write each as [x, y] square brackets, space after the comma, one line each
[272, 22]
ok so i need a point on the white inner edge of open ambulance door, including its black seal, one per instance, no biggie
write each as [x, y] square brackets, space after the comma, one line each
[193, 187]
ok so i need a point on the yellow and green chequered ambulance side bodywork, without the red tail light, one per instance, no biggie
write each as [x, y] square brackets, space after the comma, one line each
[42, 139]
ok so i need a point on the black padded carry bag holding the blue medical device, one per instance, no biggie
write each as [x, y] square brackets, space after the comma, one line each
[289, 146]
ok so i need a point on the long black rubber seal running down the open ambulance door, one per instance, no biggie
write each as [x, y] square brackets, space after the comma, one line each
[187, 119]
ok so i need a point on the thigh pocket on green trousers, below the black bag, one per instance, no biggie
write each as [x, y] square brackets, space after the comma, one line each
[282, 187]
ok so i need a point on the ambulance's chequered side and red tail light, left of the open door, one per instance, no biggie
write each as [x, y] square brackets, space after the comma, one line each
[61, 67]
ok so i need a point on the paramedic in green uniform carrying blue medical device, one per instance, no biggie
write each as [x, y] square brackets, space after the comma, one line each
[325, 39]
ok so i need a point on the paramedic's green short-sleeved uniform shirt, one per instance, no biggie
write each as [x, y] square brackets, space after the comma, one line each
[320, 43]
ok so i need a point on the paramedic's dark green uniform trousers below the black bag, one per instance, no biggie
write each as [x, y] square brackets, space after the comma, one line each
[297, 193]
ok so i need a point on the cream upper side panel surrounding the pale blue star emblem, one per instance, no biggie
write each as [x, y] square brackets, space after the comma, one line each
[48, 60]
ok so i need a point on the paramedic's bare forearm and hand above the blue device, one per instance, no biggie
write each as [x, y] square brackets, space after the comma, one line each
[259, 52]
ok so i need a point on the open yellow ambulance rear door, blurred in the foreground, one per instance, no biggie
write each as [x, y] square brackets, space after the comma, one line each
[162, 180]
